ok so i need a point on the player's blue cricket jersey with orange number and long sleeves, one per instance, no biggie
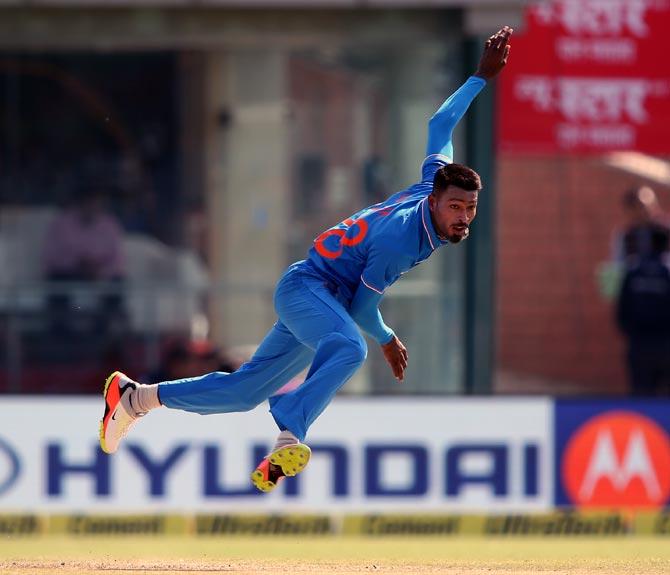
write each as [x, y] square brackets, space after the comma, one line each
[366, 253]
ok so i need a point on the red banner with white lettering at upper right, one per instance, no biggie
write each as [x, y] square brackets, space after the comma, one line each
[588, 76]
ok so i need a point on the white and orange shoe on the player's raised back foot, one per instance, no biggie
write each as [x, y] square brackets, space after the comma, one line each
[118, 417]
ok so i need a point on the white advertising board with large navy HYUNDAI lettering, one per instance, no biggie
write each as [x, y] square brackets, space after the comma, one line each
[370, 455]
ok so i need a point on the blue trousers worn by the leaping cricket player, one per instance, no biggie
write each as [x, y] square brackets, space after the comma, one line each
[313, 326]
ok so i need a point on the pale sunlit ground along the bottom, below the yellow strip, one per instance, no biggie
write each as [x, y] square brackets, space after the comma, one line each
[333, 555]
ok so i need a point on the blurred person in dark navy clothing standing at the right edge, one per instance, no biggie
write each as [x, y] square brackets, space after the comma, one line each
[643, 313]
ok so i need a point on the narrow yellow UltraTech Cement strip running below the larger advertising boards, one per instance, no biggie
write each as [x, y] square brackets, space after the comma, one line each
[560, 524]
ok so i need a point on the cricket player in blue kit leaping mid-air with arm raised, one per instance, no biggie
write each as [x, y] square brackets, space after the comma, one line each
[324, 301]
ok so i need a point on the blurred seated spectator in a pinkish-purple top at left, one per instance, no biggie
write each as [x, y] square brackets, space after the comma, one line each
[85, 244]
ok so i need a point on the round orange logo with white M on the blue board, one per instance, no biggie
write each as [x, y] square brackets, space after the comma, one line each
[619, 458]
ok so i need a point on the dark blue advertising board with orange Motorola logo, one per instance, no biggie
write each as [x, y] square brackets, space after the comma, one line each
[612, 454]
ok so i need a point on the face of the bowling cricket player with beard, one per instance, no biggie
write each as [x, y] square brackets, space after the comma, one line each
[452, 212]
